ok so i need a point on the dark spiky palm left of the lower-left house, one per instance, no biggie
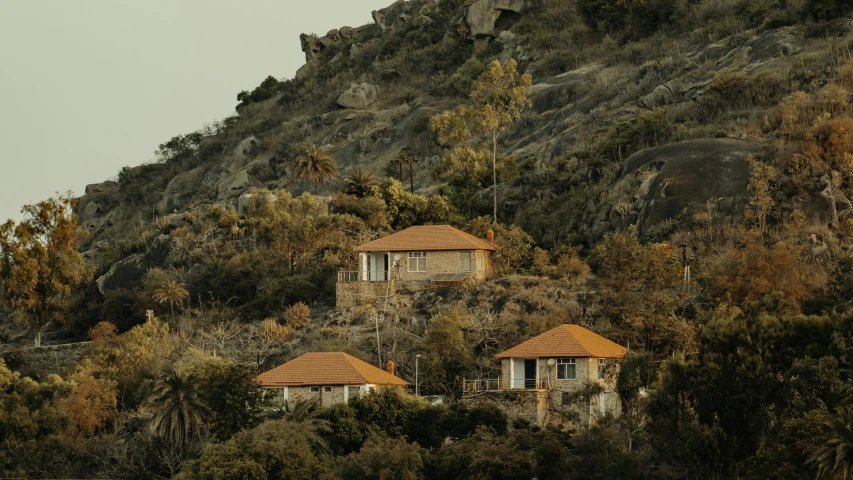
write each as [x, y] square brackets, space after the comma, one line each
[180, 414]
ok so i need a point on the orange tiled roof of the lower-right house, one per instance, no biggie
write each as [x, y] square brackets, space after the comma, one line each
[566, 341]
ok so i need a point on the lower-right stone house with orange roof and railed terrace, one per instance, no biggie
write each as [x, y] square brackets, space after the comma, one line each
[547, 378]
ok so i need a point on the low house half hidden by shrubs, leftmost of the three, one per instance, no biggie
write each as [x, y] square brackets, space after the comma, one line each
[328, 377]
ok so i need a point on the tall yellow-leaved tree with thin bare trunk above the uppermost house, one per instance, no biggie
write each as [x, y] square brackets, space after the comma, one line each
[498, 97]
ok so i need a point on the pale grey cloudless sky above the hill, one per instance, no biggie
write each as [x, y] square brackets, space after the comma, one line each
[90, 86]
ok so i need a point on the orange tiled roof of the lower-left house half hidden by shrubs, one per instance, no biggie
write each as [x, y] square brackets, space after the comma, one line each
[326, 368]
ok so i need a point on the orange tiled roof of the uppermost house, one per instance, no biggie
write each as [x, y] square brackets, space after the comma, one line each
[427, 238]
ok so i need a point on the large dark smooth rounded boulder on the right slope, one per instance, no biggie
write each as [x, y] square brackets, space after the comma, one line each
[690, 172]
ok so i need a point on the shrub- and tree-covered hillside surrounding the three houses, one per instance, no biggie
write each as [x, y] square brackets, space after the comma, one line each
[740, 370]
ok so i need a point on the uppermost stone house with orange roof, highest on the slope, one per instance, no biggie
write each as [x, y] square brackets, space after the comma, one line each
[415, 258]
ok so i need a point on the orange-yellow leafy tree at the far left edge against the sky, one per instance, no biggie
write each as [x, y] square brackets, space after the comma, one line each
[40, 263]
